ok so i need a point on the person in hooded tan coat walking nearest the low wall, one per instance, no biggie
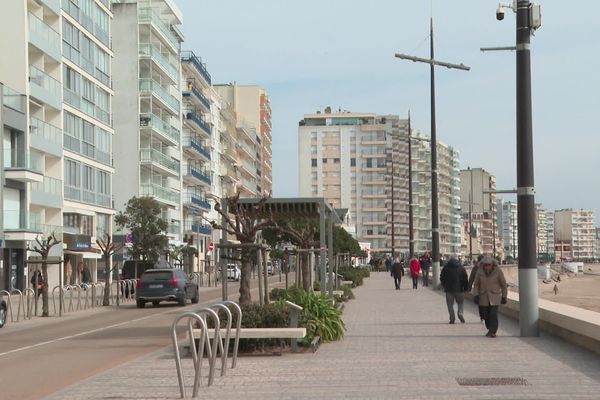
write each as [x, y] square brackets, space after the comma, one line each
[489, 291]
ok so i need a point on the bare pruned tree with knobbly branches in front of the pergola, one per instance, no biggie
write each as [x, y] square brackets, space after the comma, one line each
[244, 221]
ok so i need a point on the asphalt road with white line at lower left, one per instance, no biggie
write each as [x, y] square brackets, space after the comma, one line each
[41, 356]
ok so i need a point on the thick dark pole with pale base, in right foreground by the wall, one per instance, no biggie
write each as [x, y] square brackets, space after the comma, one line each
[528, 282]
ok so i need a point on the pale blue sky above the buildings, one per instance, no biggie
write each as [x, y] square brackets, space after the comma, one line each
[311, 54]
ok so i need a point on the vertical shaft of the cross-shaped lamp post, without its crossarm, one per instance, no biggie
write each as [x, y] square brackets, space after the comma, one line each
[435, 223]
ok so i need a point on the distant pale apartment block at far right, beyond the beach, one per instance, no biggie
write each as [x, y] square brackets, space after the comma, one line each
[574, 234]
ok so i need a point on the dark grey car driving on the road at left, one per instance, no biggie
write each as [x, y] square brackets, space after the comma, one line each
[156, 285]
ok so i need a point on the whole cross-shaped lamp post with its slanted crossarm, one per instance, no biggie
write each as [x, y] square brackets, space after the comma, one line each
[435, 223]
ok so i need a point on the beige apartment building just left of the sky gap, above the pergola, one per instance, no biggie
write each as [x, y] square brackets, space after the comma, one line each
[250, 106]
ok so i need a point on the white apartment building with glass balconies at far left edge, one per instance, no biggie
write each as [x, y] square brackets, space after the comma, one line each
[57, 133]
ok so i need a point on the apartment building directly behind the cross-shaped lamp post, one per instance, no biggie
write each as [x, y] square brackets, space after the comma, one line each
[450, 221]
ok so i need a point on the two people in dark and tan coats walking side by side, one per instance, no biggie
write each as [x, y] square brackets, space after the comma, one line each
[488, 288]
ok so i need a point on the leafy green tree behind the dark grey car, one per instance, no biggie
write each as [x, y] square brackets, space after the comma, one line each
[142, 218]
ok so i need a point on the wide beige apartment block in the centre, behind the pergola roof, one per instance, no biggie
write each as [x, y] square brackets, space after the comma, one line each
[348, 158]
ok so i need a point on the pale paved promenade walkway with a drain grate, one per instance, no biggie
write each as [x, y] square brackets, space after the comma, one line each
[398, 345]
